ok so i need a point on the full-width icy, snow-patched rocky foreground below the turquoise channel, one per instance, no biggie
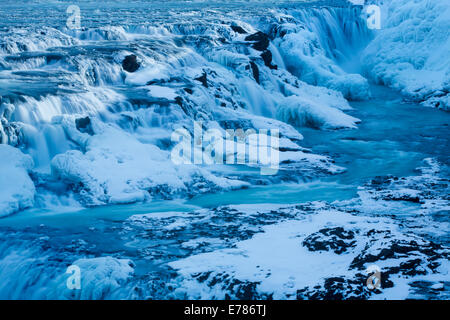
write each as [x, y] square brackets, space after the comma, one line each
[312, 250]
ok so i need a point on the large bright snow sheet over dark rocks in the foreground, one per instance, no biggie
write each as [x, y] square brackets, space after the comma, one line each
[299, 258]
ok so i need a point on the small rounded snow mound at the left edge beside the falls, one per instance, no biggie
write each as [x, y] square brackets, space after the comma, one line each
[17, 188]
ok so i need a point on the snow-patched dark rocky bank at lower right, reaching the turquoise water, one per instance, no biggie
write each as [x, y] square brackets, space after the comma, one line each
[322, 251]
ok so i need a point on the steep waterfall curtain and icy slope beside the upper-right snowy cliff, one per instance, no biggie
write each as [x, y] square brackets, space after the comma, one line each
[314, 44]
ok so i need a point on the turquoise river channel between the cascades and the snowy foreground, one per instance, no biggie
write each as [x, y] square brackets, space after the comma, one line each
[392, 139]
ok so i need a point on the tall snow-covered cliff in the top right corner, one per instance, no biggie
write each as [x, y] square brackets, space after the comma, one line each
[411, 52]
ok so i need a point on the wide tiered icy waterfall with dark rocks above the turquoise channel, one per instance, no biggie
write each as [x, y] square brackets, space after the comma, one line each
[69, 92]
